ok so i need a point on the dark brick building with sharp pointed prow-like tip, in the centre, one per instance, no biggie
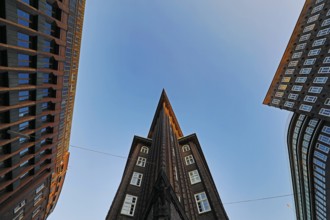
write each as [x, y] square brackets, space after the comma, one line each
[166, 176]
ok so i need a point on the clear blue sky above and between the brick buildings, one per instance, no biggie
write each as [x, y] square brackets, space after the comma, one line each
[216, 60]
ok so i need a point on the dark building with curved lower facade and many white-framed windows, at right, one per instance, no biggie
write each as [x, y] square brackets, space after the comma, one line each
[301, 85]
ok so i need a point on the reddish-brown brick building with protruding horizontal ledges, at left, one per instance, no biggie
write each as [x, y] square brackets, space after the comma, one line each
[39, 55]
